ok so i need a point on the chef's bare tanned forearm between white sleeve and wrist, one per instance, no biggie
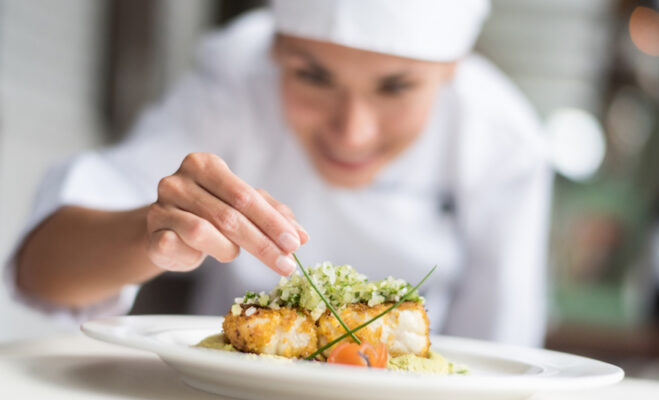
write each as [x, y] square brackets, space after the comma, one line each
[80, 256]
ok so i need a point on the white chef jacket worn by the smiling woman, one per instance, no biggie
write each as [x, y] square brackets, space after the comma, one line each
[471, 195]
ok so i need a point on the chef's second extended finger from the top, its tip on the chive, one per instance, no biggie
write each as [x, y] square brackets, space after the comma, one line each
[230, 222]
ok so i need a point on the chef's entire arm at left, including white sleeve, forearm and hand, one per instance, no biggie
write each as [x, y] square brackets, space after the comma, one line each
[75, 256]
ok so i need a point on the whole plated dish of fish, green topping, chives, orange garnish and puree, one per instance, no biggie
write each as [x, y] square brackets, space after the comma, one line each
[334, 314]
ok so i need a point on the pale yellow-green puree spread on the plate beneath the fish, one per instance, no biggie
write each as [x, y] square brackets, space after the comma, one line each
[434, 363]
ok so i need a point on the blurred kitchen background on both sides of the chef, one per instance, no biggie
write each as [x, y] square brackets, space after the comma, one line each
[74, 74]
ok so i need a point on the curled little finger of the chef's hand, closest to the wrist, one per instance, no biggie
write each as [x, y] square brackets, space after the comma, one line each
[169, 252]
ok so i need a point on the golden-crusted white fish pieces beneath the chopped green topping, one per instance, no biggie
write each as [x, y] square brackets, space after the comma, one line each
[291, 332]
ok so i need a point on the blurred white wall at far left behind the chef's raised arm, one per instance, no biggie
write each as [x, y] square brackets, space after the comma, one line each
[49, 88]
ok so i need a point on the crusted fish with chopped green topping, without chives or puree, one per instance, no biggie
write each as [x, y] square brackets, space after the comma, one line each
[293, 321]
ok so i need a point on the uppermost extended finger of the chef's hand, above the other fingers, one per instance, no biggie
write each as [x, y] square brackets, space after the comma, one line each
[213, 174]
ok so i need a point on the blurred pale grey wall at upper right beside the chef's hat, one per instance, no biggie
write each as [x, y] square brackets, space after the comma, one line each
[557, 51]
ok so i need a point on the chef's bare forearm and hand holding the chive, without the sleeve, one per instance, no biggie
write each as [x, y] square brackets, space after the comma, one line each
[80, 256]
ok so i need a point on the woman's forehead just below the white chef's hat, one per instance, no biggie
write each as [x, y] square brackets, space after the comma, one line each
[337, 57]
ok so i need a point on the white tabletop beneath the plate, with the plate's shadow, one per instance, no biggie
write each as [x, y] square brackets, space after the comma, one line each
[76, 367]
